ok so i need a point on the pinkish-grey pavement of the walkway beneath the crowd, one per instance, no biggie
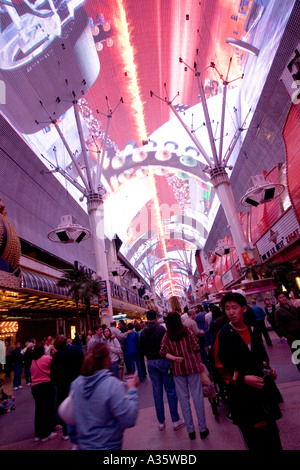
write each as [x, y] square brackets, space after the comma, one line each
[16, 428]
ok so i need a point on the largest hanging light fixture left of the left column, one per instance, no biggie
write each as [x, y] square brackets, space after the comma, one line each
[69, 231]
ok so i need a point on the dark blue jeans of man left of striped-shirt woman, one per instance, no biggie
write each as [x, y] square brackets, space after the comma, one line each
[158, 370]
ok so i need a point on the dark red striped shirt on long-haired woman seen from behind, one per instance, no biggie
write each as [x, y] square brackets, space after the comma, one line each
[188, 348]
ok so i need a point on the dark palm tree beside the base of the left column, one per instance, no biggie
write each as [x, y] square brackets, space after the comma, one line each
[82, 287]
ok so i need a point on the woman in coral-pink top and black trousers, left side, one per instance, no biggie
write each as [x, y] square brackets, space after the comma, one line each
[43, 394]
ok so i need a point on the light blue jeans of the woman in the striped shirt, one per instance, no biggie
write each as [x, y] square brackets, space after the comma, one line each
[186, 385]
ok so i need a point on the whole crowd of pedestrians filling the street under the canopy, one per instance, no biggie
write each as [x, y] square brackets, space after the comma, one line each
[100, 372]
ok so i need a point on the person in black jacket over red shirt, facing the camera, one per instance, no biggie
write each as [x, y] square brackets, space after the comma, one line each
[243, 362]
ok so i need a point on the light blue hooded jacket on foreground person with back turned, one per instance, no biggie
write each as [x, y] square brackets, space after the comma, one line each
[103, 409]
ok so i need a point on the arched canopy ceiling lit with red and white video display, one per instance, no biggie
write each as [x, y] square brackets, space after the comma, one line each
[124, 61]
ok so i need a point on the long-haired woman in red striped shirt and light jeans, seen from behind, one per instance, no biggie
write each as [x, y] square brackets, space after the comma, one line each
[180, 346]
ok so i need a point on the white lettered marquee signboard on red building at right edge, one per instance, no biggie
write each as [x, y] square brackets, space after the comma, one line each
[282, 234]
